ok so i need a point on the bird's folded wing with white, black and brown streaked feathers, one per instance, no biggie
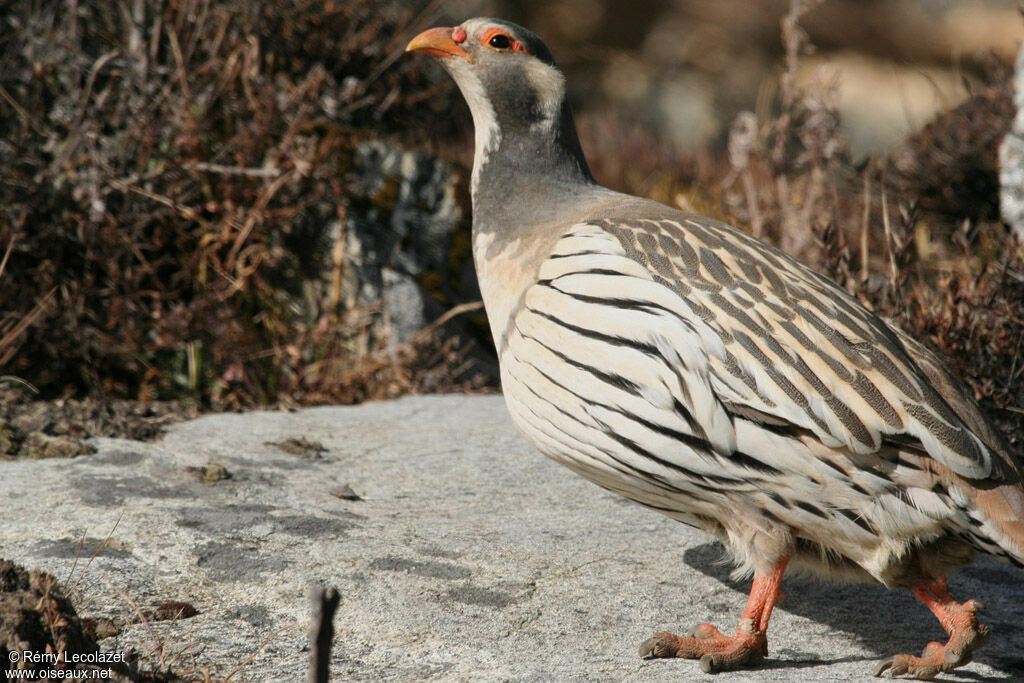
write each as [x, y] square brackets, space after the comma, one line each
[697, 324]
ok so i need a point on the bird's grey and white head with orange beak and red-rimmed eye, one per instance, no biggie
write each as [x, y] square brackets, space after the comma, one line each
[504, 71]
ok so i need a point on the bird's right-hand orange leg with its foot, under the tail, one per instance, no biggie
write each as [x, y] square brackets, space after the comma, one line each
[966, 634]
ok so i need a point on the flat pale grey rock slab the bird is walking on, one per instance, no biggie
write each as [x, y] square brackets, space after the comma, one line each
[460, 553]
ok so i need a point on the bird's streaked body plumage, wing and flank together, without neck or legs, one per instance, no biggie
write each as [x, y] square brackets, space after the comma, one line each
[690, 368]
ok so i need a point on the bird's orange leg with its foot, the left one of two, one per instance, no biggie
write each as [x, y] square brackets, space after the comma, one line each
[717, 652]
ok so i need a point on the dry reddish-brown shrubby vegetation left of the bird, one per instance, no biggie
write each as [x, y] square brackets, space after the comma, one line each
[164, 174]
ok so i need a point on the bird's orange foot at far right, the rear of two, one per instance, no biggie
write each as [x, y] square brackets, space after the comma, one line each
[966, 635]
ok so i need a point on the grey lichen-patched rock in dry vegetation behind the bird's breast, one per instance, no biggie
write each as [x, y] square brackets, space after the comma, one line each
[393, 257]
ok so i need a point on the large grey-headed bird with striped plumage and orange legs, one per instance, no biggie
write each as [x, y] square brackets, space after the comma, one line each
[690, 367]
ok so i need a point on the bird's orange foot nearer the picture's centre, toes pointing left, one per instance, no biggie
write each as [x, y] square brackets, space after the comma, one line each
[716, 652]
